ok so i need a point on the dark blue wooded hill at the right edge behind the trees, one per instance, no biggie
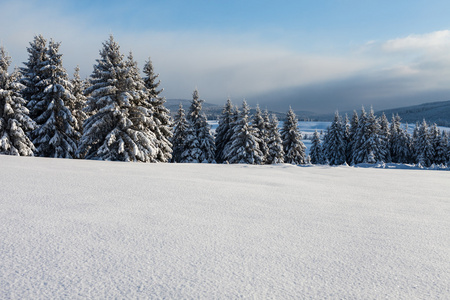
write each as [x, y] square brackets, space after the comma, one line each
[435, 112]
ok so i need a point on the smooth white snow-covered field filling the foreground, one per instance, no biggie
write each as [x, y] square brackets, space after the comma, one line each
[74, 229]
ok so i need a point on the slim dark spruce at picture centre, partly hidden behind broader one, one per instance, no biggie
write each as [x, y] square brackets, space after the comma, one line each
[224, 131]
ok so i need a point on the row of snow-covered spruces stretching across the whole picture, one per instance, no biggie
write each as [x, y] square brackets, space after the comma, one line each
[119, 115]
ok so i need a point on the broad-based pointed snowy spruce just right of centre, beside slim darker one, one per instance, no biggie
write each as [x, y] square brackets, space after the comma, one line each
[244, 147]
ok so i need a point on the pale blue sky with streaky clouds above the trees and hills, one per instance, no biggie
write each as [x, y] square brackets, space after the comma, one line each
[311, 55]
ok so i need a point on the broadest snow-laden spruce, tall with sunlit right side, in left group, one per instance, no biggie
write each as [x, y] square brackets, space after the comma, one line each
[120, 128]
